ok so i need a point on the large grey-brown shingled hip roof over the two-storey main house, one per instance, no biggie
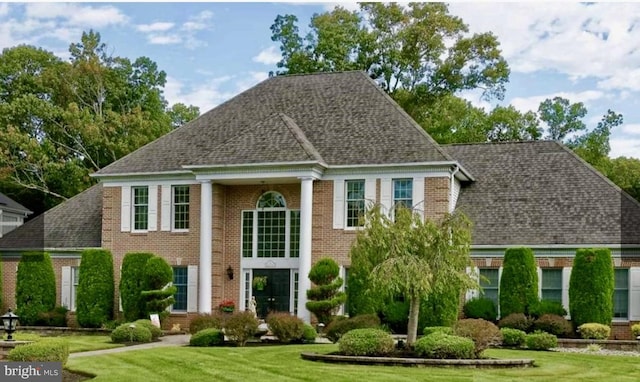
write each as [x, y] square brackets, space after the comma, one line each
[332, 118]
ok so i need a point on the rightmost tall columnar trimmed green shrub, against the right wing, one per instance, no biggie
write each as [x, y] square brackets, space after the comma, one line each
[591, 287]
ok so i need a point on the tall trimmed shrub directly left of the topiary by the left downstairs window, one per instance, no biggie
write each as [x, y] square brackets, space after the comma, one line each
[132, 285]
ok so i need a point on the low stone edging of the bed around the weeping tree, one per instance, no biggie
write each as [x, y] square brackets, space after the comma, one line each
[393, 361]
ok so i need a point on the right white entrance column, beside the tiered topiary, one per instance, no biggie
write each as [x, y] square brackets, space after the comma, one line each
[306, 213]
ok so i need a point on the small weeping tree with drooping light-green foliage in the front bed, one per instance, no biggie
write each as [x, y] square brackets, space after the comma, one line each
[412, 257]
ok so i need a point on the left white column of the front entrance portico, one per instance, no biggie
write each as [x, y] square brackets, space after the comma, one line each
[206, 209]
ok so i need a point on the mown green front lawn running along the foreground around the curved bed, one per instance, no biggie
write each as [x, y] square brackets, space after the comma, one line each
[283, 363]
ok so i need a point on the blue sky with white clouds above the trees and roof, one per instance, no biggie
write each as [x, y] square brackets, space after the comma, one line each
[585, 52]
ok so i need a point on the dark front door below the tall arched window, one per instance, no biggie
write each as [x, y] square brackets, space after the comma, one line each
[275, 296]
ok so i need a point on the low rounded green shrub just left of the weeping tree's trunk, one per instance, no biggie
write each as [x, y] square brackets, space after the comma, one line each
[362, 342]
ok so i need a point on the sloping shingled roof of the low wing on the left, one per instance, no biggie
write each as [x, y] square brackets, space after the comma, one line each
[76, 223]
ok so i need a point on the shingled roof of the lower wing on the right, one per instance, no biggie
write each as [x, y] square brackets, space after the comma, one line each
[541, 193]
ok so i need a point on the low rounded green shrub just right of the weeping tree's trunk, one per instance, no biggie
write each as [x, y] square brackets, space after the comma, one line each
[444, 346]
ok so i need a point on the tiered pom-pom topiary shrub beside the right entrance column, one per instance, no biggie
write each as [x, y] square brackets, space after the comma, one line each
[325, 296]
